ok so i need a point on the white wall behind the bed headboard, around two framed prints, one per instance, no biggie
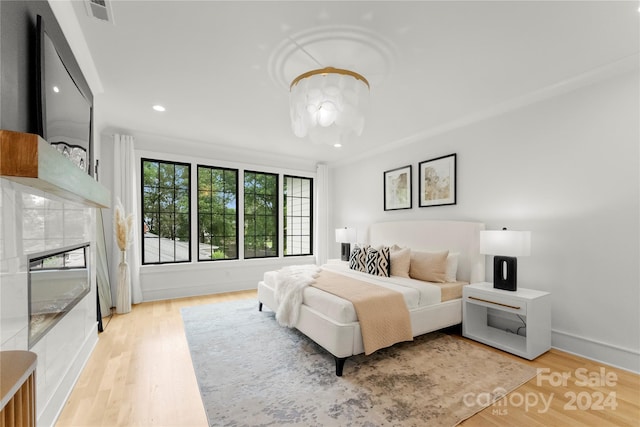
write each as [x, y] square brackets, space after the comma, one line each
[566, 169]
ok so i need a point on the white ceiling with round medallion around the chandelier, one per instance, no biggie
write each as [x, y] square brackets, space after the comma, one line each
[222, 68]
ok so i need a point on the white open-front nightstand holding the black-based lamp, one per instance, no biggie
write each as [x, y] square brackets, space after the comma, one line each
[514, 309]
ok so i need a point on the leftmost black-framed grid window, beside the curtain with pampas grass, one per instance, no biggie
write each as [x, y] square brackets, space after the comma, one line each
[166, 211]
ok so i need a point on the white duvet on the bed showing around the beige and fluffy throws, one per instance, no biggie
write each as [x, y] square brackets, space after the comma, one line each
[416, 293]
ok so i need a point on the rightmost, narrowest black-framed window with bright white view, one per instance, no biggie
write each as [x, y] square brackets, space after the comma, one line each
[298, 206]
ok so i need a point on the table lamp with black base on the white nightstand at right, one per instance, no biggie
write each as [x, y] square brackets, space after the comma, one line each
[506, 246]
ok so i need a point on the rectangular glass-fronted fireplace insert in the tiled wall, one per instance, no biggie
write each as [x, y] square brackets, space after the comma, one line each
[58, 280]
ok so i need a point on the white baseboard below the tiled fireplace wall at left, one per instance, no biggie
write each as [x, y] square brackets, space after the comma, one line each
[54, 406]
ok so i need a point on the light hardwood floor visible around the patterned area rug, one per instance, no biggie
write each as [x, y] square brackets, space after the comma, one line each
[140, 374]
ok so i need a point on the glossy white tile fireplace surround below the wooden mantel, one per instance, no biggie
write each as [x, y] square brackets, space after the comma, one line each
[33, 221]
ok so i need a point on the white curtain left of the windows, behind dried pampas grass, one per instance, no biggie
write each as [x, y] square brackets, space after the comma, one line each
[126, 189]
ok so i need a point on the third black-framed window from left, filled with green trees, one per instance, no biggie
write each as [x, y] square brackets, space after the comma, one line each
[260, 215]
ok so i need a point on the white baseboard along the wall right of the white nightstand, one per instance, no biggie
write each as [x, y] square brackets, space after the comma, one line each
[598, 351]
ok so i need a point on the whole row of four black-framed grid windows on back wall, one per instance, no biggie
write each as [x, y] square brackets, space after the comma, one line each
[167, 213]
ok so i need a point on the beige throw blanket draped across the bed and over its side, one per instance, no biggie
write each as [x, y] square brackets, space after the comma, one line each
[382, 313]
